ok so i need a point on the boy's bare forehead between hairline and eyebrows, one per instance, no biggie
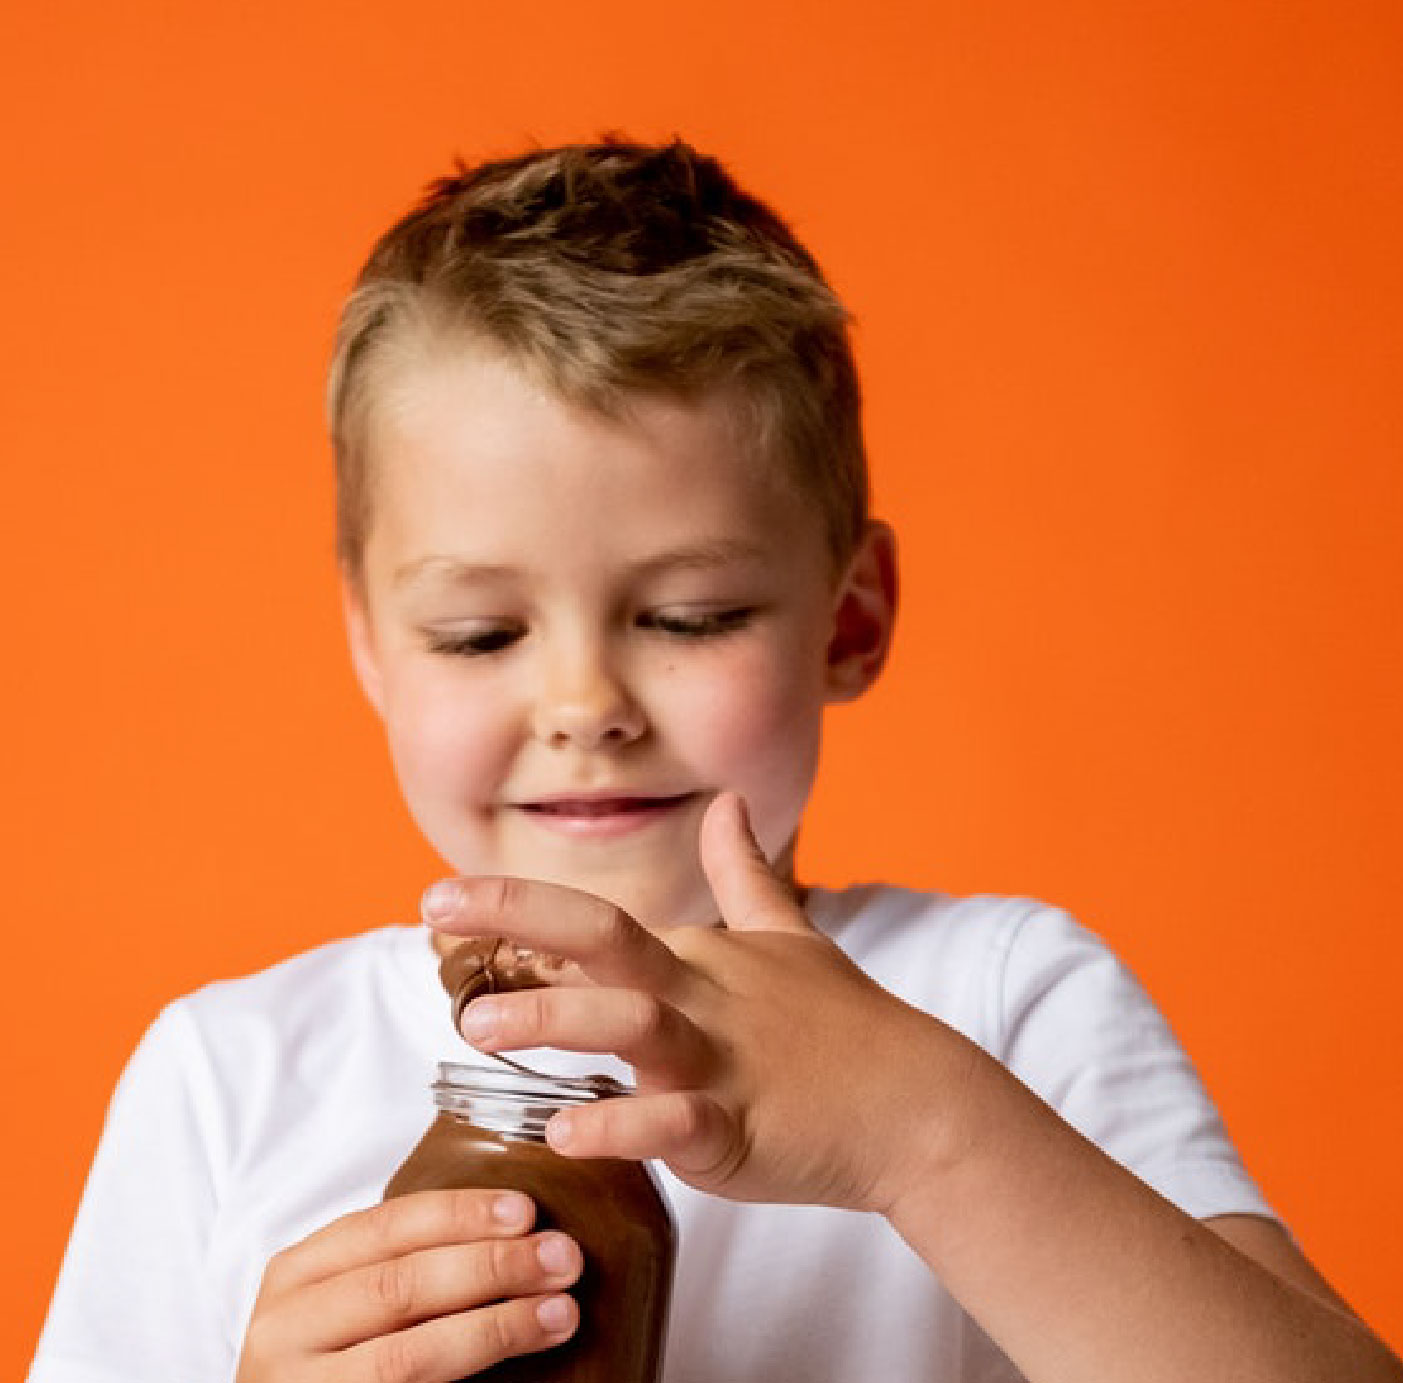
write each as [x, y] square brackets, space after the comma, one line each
[459, 430]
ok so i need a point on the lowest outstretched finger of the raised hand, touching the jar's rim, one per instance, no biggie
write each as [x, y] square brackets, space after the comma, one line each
[688, 1130]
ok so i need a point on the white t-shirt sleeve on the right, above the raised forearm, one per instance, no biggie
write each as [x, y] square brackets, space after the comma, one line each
[1080, 1030]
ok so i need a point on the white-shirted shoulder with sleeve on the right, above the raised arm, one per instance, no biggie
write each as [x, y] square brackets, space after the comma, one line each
[1050, 1001]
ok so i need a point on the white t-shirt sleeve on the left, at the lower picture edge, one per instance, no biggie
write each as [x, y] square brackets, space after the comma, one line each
[133, 1301]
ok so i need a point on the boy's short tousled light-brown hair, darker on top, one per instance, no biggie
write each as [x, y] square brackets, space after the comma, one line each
[612, 270]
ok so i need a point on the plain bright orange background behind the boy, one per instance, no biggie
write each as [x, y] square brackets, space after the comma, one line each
[1129, 283]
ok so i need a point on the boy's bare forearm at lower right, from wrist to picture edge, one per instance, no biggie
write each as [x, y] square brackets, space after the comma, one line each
[1081, 1273]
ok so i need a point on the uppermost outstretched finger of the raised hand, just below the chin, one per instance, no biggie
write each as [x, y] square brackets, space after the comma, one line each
[601, 939]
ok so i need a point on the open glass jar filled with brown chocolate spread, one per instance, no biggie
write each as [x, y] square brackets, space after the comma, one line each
[490, 1133]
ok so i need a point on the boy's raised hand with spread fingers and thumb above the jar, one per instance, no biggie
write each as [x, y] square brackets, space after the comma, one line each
[768, 1065]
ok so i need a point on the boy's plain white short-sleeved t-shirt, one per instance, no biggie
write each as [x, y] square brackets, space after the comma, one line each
[255, 1112]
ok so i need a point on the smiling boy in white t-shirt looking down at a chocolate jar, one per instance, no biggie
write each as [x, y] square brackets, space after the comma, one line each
[607, 559]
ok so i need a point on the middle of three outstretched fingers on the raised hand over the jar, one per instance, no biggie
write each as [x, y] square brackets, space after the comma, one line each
[640, 1029]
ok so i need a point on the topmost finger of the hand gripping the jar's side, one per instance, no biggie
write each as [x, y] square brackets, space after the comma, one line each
[424, 1220]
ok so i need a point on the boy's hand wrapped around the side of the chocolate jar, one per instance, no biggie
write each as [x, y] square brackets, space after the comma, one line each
[431, 1287]
